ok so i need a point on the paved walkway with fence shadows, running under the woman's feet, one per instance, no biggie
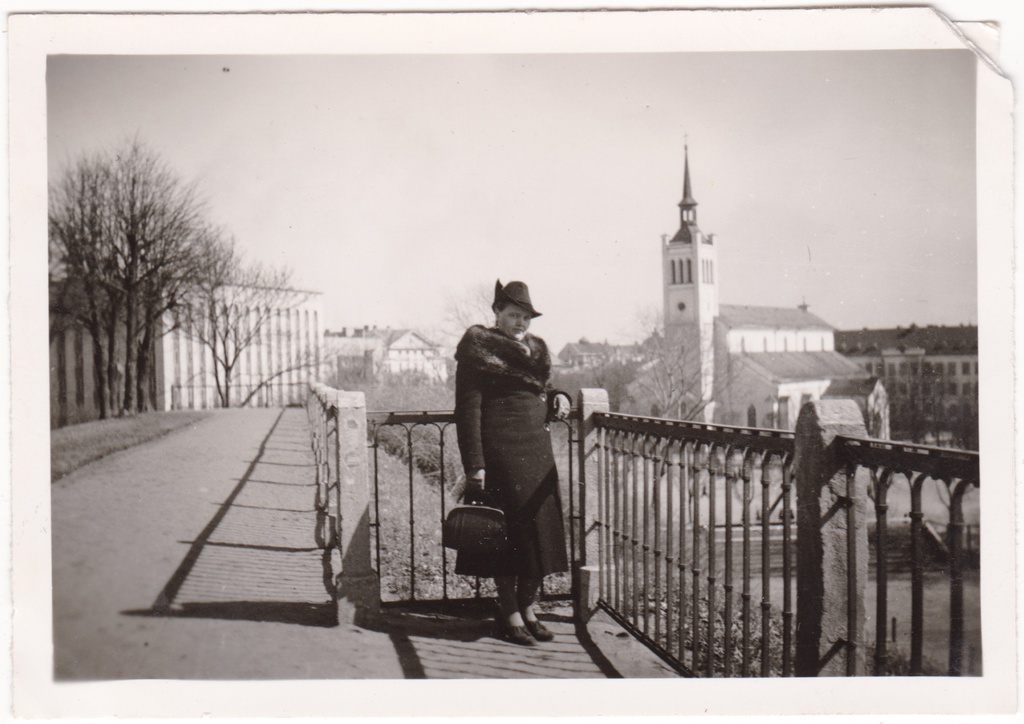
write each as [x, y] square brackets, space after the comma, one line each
[193, 558]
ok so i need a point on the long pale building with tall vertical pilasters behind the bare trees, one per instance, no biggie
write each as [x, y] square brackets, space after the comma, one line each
[274, 351]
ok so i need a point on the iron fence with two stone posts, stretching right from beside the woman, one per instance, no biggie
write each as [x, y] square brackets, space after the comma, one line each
[690, 525]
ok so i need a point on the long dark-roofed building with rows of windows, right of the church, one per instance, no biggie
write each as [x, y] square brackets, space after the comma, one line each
[931, 374]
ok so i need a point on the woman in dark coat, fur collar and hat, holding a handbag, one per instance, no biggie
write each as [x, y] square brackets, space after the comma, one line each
[503, 403]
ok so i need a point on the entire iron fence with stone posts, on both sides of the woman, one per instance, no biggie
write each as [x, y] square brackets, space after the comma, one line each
[686, 533]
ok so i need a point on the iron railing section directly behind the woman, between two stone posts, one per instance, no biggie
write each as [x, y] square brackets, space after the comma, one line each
[417, 479]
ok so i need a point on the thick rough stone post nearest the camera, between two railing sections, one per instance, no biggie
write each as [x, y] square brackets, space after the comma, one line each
[832, 513]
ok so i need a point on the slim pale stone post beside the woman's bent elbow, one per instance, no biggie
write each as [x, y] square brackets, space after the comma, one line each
[587, 577]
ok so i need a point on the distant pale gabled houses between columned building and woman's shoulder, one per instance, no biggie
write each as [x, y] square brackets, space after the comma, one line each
[369, 354]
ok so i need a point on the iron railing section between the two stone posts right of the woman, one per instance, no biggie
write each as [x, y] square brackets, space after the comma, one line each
[670, 532]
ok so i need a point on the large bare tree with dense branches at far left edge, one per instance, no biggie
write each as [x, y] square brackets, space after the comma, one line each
[123, 232]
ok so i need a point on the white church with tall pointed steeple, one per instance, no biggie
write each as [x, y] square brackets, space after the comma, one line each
[751, 366]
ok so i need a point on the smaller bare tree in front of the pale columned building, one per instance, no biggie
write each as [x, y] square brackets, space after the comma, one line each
[232, 311]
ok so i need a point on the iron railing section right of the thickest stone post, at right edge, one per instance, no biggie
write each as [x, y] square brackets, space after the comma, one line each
[956, 473]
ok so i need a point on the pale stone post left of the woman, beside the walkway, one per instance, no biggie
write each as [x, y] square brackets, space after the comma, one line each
[358, 587]
